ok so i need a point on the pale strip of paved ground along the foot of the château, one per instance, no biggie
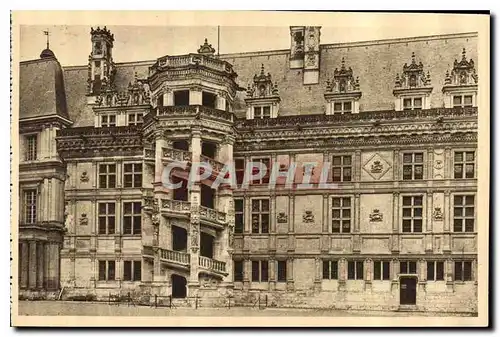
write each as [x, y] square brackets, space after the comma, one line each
[62, 308]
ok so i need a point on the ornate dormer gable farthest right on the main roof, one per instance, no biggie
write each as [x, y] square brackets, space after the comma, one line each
[460, 86]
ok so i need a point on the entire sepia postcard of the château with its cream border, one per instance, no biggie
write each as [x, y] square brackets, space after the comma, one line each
[209, 169]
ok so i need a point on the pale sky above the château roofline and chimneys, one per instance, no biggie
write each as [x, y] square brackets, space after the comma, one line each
[71, 43]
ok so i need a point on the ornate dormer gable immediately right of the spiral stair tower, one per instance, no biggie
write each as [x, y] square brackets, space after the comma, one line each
[262, 96]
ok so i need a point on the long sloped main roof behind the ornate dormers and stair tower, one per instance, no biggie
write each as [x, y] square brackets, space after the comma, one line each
[376, 63]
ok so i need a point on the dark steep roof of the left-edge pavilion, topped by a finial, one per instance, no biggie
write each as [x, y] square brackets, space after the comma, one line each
[42, 89]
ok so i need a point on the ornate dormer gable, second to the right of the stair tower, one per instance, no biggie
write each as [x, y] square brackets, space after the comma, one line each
[342, 93]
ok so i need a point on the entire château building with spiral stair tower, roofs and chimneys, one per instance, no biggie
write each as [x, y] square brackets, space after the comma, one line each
[395, 227]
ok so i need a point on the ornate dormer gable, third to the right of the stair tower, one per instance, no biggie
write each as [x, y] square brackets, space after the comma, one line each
[412, 88]
